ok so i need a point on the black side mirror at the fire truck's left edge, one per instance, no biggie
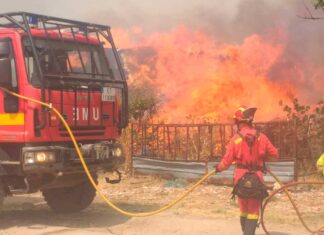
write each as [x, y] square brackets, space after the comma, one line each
[5, 64]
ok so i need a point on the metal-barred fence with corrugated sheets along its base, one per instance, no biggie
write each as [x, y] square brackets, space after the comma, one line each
[188, 150]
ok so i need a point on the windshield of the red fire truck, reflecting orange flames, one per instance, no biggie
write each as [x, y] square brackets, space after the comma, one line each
[68, 59]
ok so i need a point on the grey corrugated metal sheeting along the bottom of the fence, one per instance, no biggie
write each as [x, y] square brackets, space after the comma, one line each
[182, 169]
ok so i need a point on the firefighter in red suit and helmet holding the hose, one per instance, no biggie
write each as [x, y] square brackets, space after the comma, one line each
[249, 149]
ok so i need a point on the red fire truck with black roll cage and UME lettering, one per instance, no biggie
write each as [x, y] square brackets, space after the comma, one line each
[75, 67]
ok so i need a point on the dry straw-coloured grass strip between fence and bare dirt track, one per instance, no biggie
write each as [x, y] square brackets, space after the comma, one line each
[213, 201]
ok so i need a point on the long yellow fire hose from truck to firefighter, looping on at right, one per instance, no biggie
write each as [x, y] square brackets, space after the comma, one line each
[174, 202]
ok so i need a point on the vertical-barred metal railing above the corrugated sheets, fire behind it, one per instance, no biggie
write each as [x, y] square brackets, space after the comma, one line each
[202, 142]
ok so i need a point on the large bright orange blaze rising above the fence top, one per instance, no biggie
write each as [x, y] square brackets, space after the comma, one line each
[203, 79]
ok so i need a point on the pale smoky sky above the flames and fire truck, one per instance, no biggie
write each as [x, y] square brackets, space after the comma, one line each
[231, 20]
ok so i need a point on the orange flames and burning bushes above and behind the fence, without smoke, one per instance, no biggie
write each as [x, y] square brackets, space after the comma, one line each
[189, 77]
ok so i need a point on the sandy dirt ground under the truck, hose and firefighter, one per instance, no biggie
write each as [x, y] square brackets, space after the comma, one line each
[208, 211]
